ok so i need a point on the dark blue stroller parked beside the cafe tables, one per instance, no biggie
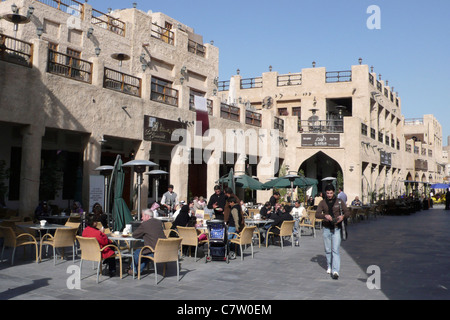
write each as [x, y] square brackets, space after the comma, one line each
[217, 241]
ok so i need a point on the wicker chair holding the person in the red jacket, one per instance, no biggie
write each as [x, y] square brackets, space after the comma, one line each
[90, 251]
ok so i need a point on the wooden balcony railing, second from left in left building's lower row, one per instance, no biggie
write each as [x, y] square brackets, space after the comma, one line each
[70, 67]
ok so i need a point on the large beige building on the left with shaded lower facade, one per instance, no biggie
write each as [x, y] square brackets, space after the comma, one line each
[79, 86]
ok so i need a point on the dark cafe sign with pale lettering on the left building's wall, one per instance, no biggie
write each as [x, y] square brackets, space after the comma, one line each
[160, 130]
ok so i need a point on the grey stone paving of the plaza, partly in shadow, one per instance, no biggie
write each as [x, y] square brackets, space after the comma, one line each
[412, 253]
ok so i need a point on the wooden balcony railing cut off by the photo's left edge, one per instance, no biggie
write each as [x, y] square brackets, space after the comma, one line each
[16, 51]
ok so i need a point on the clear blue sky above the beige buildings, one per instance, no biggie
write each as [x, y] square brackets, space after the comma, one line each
[411, 50]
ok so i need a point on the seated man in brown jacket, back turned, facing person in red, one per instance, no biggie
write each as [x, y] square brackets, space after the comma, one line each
[150, 230]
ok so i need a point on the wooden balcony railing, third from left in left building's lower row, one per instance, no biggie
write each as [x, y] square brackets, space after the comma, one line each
[122, 82]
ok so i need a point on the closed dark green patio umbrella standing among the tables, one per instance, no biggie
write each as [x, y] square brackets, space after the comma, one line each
[120, 211]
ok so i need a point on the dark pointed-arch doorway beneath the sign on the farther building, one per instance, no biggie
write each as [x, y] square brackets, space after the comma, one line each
[321, 166]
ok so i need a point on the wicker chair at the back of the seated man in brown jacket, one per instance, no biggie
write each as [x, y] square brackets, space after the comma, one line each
[166, 250]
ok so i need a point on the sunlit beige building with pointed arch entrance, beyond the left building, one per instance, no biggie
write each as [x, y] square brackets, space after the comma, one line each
[347, 121]
